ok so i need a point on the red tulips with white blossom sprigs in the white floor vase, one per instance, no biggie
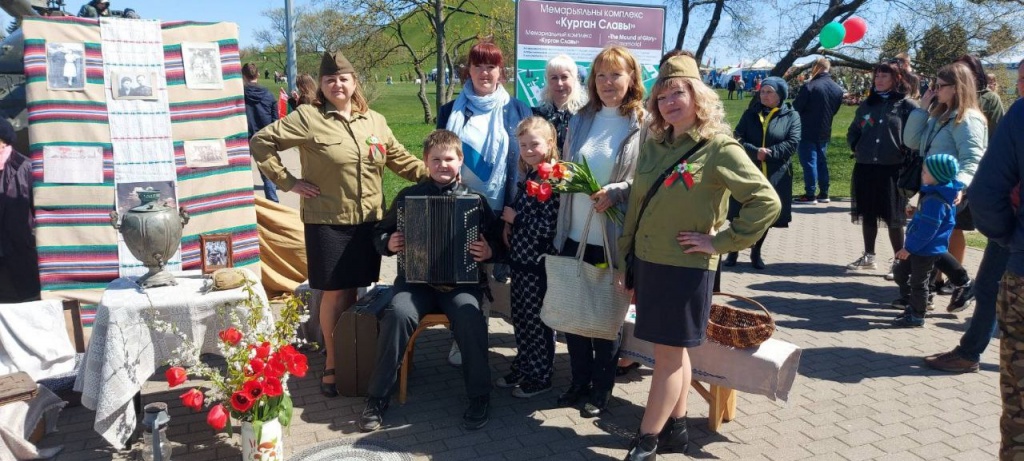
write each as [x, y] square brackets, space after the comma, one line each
[261, 358]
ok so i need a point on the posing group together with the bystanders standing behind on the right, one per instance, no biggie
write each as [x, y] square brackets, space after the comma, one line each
[488, 145]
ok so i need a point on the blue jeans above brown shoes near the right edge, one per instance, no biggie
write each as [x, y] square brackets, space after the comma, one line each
[987, 288]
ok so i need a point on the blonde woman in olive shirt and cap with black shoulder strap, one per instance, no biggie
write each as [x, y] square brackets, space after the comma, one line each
[688, 170]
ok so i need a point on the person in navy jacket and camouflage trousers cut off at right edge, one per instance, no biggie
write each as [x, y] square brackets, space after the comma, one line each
[995, 197]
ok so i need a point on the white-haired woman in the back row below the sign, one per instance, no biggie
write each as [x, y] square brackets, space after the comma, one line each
[563, 96]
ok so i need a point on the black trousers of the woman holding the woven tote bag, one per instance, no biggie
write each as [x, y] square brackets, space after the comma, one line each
[593, 361]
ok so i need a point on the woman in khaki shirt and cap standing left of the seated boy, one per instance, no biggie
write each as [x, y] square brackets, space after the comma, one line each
[345, 148]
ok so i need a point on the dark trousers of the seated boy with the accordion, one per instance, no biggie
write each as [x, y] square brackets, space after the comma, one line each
[470, 327]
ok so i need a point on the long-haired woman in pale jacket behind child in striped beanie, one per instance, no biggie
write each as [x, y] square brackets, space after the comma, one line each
[952, 124]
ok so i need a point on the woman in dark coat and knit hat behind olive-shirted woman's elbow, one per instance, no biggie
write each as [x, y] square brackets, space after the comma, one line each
[770, 132]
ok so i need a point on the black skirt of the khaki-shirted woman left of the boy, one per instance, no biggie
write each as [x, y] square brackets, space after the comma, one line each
[342, 258]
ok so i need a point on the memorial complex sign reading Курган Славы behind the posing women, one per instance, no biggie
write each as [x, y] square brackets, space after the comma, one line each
[546, 29]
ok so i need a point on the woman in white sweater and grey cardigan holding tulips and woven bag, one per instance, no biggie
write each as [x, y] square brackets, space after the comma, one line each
[606, 134]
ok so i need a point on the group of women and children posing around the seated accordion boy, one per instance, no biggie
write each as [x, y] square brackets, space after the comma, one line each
[487, 146]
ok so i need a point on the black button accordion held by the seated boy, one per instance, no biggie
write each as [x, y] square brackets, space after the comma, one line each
[439, 231]
